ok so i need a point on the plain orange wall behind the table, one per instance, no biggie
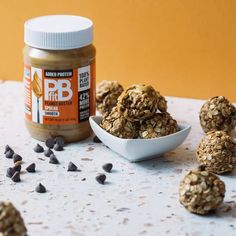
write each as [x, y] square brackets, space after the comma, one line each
[184, 48]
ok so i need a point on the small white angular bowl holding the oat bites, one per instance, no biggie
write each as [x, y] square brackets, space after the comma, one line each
[139, 149]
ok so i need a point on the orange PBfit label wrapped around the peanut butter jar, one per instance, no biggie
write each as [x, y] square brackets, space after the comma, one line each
[59, 97]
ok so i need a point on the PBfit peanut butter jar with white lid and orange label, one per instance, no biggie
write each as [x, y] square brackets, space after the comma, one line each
[59, 76]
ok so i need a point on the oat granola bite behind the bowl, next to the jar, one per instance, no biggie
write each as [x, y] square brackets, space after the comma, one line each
[107, 93]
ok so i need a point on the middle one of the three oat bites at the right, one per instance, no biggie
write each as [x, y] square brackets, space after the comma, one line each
[217, 151]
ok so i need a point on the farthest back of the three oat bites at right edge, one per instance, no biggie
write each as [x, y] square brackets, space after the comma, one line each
[218, 114]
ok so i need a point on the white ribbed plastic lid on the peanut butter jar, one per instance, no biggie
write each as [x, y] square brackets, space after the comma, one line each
[58, 32]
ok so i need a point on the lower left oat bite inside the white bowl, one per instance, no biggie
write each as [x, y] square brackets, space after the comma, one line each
[116, 124]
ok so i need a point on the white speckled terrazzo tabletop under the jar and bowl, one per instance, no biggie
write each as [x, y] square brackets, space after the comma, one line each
[137, 199]
